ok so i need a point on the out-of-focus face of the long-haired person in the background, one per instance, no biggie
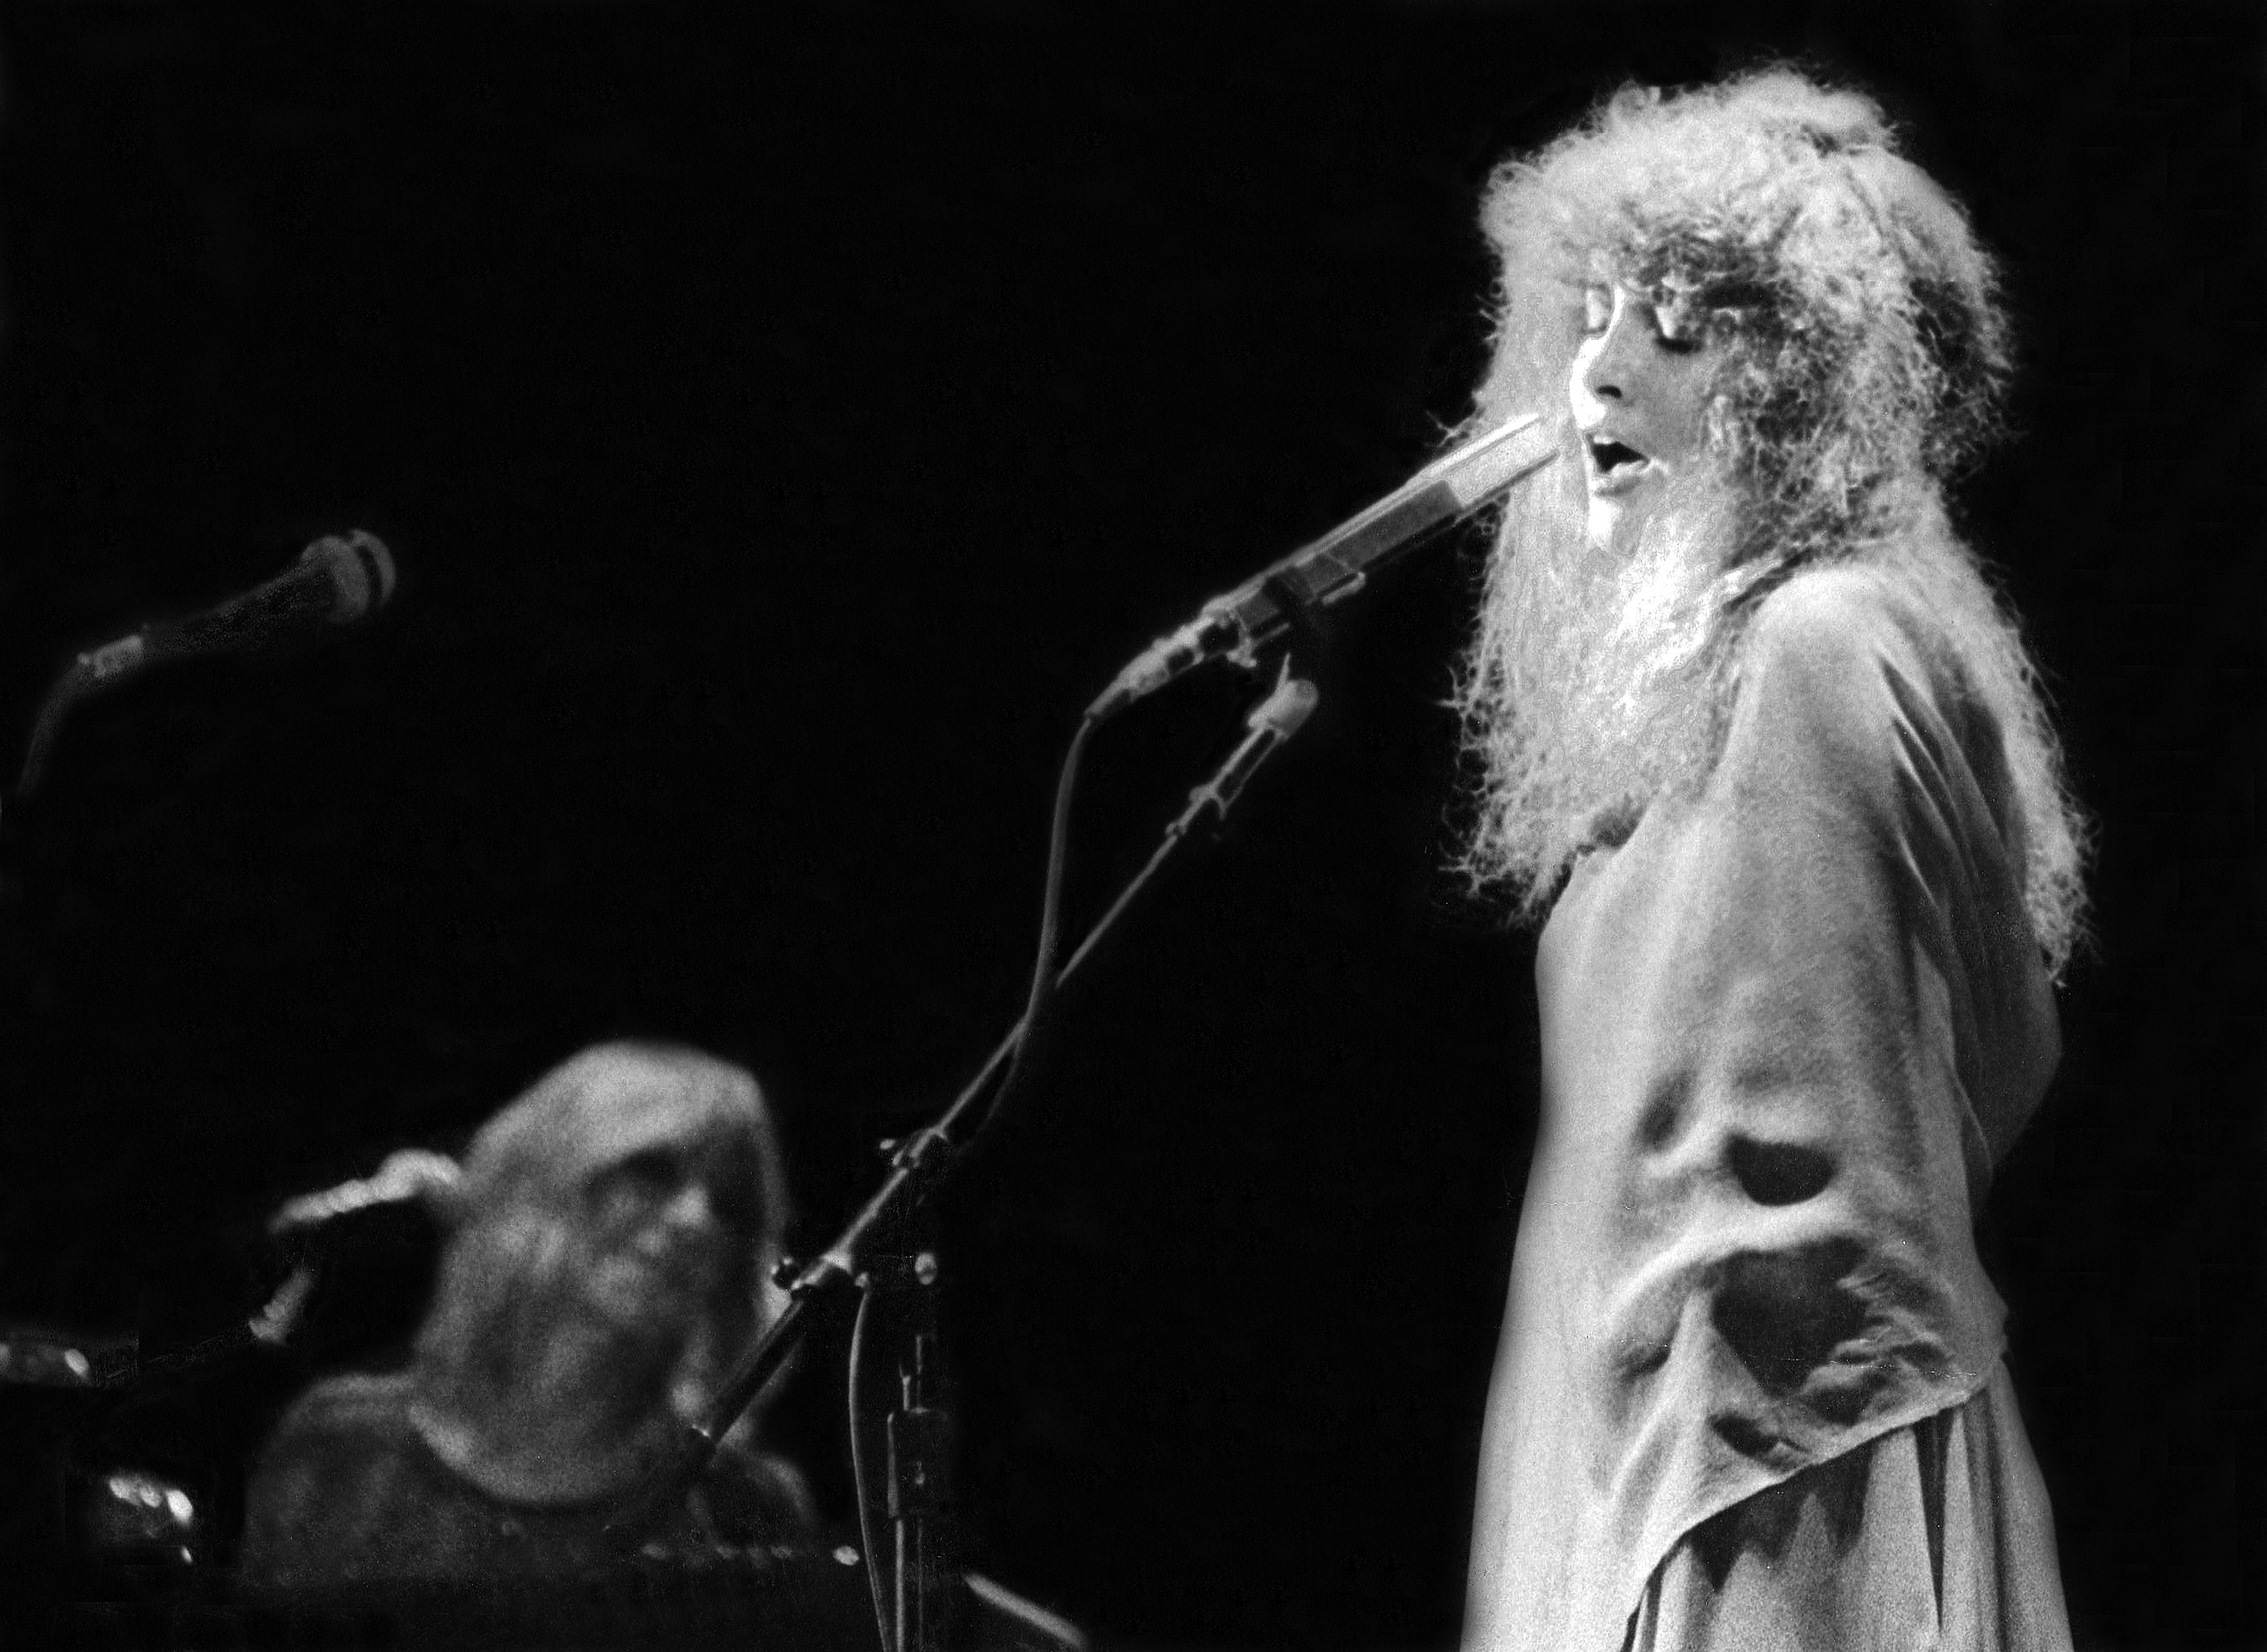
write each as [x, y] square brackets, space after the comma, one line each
[663, 1234]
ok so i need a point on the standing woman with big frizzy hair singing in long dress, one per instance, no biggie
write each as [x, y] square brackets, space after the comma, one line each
[1769, 763]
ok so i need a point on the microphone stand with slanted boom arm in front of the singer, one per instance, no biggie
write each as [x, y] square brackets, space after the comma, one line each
[874, 1257]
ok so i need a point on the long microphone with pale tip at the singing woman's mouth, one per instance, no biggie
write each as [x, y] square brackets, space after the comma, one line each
[1327, 572]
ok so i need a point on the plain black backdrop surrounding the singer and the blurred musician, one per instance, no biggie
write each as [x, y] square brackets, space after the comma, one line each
[786, 429]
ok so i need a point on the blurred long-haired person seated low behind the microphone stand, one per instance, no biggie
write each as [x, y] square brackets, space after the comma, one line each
[609, 1257]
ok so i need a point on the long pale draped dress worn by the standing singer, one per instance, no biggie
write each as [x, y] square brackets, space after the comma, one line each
[1751, 1377]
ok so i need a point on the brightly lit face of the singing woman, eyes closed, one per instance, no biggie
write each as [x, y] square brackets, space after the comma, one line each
[1640, 395]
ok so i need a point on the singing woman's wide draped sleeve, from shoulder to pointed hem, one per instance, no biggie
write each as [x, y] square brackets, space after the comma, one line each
[1837, 1019]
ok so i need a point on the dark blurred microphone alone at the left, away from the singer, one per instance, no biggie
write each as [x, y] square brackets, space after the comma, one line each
[337, 581]
